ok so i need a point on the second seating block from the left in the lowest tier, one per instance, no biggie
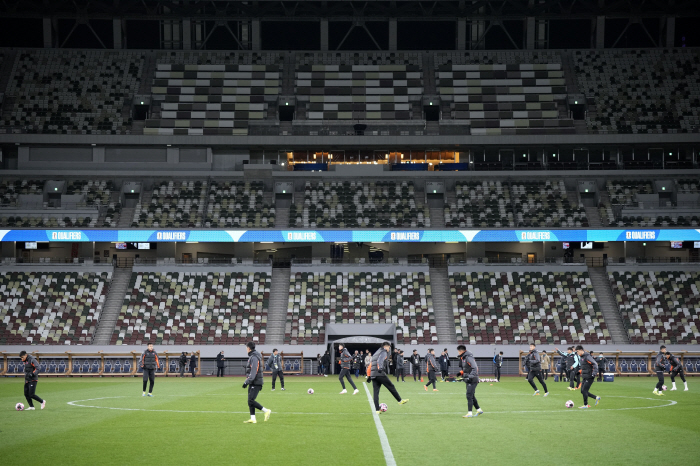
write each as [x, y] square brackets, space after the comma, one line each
[194, 308]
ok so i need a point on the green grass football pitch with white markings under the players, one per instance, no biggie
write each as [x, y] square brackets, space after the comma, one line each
[200, 421]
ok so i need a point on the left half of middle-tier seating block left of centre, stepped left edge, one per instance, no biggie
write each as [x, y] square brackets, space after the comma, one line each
[173, 204]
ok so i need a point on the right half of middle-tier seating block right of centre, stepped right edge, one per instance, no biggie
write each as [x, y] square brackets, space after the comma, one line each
[545, 204]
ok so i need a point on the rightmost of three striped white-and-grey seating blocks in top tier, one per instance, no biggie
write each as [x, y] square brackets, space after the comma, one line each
[501, 94]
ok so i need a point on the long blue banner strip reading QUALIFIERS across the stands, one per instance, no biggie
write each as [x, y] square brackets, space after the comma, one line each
[330, 236]
